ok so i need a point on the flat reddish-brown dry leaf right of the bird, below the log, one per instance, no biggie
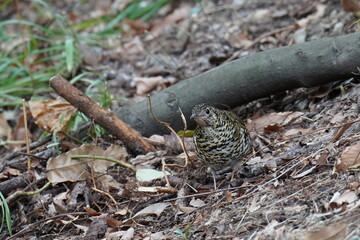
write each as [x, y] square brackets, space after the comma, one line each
[280, 119]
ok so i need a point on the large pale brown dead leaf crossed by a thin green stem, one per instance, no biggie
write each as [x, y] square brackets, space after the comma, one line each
[63, 168]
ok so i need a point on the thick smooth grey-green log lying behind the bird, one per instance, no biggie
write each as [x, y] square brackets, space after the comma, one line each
[249, 78]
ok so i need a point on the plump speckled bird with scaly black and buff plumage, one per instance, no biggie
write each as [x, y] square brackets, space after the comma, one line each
[221, 138]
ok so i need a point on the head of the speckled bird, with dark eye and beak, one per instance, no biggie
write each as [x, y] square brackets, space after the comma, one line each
[204, 115]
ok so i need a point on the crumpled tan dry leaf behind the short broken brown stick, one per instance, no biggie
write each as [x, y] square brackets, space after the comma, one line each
[51, 115]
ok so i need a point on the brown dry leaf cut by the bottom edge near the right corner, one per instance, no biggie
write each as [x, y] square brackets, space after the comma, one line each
[336, 231]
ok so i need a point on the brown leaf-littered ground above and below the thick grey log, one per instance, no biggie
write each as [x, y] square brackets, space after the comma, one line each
[297, 184]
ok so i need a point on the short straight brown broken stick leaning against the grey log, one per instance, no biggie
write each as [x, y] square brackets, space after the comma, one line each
[108, 120]
